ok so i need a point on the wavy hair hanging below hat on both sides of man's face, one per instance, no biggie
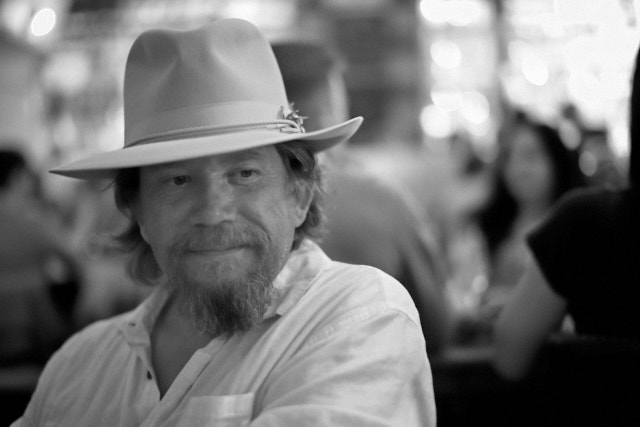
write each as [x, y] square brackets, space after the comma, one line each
[303, 171]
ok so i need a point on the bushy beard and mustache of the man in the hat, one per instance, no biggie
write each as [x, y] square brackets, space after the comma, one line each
[224, 304]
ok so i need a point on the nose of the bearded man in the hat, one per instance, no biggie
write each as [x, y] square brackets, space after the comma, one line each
[215, 203]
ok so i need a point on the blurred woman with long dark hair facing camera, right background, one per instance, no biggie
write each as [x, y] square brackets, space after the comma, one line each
[533, 170]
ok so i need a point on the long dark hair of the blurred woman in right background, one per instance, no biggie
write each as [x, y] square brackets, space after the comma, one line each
[496, 217]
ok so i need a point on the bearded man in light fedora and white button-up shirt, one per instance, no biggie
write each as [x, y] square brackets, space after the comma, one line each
[251, 323]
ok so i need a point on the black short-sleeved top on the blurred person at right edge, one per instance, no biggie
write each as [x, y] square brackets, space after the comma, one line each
[589, 252]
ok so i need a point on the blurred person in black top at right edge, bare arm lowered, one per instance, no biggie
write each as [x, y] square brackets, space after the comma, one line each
[585, 262]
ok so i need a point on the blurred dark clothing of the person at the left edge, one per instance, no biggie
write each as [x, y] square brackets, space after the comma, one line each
[37, 289]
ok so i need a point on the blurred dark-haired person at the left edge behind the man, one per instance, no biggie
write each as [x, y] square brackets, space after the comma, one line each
[40, 275]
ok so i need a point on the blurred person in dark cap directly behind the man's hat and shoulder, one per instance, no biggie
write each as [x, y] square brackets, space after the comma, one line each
[368, 222]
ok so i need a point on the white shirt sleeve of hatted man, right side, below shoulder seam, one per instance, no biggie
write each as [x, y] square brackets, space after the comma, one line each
[370, 369]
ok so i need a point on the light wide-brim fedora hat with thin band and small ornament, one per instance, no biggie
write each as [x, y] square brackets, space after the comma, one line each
[196, 93]
